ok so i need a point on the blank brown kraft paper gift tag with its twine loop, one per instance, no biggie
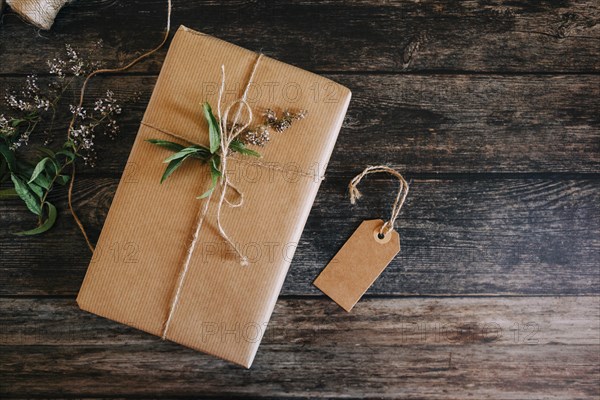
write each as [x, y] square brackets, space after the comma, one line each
[366, 253]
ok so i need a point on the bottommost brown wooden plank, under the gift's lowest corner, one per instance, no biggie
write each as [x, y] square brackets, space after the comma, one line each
[485, 372]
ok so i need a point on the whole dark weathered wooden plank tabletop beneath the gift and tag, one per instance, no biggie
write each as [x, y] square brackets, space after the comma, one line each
[491, 109]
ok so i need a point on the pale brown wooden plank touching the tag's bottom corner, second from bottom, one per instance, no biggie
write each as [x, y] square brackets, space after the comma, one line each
[452, 321]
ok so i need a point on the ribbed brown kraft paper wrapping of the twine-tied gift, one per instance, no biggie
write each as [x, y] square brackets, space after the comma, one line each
[223, 308]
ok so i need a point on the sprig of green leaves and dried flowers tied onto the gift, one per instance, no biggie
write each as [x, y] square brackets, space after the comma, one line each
[258, 136]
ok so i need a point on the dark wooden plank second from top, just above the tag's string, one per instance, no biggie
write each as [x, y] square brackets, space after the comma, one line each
[427, 124]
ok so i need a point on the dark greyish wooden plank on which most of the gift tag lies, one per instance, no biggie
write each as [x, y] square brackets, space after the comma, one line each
[459, 237]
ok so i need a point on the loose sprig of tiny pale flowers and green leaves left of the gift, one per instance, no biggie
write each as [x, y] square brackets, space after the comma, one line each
[35, 106]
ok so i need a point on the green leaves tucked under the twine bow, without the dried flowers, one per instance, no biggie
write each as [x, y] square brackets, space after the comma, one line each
[207, 155]
